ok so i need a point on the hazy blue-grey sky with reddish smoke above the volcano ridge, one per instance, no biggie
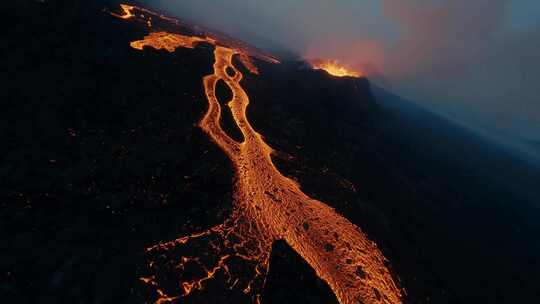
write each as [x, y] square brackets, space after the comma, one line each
[474, 60]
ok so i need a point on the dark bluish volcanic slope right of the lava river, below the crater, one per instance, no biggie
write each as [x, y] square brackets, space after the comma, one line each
[456, 215]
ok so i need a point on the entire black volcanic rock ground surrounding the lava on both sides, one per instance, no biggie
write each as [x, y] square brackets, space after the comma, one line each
[101, 157]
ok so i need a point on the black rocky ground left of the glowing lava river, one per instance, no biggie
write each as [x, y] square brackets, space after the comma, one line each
[100, 155]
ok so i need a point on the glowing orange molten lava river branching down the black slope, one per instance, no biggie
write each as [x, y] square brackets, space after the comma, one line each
[267, 207]
